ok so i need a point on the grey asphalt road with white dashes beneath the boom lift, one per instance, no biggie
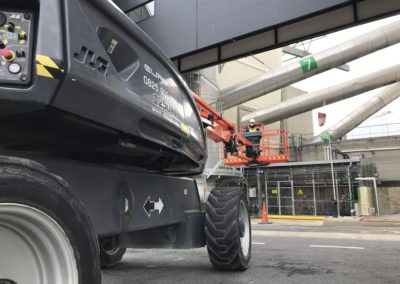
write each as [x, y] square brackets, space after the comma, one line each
[280, 254]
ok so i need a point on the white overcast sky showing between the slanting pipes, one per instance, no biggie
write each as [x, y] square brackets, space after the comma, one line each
[365, 65]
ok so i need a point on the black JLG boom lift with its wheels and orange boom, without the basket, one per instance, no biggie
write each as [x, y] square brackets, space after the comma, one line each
[100, 141]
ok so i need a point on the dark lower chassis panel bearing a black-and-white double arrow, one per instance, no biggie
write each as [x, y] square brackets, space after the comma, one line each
[142, 209]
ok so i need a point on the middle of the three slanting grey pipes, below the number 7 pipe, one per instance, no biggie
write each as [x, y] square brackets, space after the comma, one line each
[329, 95]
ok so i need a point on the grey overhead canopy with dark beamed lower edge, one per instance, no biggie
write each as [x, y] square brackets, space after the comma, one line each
[200, 33]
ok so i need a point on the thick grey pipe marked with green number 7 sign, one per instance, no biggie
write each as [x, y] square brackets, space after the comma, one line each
[311, 65]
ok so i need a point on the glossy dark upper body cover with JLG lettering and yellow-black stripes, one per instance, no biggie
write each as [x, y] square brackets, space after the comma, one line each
[100, 90]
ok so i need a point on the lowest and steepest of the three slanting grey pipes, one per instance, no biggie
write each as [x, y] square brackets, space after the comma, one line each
[362, 112]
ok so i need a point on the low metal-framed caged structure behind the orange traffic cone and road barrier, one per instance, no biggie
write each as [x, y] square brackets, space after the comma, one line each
[306, 188]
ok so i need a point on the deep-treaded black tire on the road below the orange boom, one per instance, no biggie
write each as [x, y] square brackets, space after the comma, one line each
[223, 229]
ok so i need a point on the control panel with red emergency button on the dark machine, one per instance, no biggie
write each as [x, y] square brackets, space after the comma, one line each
[15, 47]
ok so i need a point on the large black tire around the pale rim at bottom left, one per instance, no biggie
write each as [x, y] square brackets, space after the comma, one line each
[28, 183]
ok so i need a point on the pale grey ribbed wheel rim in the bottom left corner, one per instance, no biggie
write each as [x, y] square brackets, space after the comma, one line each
[37, 248]
